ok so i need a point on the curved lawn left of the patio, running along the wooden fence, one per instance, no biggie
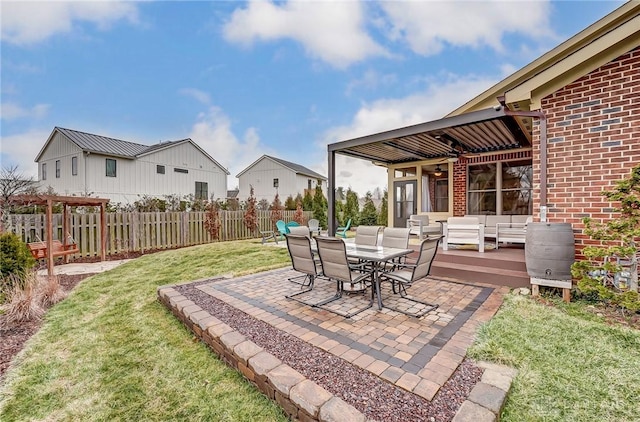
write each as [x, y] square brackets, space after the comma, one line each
[112, 352]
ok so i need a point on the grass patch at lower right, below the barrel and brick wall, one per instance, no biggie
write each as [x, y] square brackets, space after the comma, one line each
[572, 366]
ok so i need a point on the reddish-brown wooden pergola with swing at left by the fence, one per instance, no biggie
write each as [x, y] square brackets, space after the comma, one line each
[66, 202]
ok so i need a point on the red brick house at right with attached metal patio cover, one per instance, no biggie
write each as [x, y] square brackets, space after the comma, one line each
[544, 141]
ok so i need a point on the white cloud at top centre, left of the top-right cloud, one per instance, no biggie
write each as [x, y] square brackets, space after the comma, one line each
[330, 31]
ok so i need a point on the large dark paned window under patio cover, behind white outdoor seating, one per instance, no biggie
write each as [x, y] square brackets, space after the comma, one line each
[502, 188]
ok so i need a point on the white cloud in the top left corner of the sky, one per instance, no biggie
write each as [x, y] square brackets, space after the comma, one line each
[31, 22]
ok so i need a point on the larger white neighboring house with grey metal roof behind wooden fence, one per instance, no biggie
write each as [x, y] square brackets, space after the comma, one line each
[79, 163]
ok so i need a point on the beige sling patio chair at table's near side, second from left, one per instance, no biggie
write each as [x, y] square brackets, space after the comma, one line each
[336, 266]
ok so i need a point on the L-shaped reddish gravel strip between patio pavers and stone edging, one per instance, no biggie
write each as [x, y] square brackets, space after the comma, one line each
[376, 398]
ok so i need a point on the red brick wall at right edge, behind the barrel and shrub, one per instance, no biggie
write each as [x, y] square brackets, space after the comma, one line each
[593, 135]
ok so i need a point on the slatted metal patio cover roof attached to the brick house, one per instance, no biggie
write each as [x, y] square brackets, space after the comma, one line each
[471, 133]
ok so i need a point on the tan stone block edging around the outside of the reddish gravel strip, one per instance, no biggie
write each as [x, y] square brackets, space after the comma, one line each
[300, 398]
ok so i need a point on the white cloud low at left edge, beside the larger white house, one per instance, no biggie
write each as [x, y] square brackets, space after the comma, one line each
[21, 149]
